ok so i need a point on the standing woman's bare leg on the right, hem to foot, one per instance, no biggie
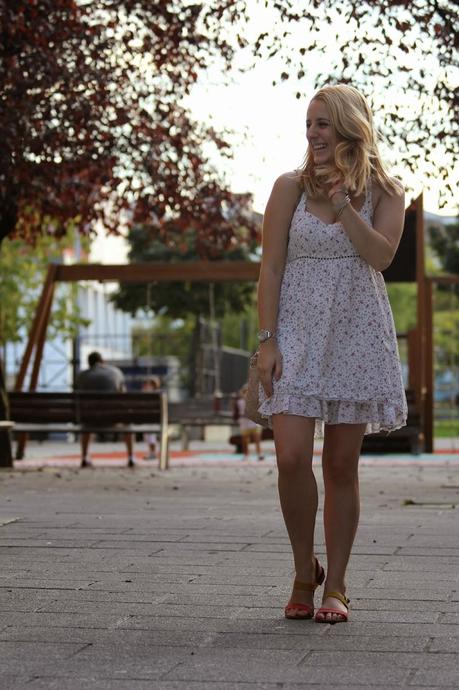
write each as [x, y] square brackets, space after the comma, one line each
[340, 459]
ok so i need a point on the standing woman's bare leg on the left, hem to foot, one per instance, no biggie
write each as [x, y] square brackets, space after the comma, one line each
[294, 441]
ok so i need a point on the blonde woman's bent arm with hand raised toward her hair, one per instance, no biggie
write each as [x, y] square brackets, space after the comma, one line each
[377, 244]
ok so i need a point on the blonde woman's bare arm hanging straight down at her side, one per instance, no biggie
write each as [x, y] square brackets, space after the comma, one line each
[276, 223]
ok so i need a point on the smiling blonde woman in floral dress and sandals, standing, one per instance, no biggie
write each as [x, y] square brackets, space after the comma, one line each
[328, 349]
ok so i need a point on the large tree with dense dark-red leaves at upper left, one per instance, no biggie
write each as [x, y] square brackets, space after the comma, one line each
[93, 129]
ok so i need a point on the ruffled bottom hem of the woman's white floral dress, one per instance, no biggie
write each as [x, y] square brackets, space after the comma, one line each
[379, 415]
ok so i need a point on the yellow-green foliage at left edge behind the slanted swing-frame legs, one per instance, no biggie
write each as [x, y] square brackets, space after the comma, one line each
[22, 273]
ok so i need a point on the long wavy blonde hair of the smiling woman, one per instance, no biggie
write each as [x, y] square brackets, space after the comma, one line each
[357, 158]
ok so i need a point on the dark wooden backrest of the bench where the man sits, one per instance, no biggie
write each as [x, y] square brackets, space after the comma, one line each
[88, 407]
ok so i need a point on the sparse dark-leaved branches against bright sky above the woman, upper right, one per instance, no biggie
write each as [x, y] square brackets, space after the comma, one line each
[403, 55]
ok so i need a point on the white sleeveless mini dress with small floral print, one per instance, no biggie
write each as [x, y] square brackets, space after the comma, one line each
[335, 330]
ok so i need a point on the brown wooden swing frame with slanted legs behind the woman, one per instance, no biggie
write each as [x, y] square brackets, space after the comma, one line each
[408, 266]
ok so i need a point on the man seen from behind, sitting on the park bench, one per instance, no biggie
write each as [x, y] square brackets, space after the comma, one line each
[101, 377]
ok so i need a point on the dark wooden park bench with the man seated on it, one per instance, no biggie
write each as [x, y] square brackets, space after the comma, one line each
[78, 411]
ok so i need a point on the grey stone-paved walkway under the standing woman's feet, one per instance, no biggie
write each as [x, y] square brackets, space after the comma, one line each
[122, 579]
